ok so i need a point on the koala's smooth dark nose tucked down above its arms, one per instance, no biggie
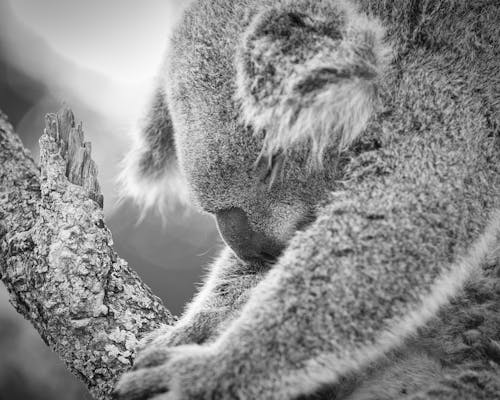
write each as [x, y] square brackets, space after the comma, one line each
[248, 244]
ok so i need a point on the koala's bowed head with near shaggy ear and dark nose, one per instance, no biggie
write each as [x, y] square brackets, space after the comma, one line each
[263, 103]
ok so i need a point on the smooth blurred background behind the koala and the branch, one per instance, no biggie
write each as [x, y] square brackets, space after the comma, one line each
[100, 58]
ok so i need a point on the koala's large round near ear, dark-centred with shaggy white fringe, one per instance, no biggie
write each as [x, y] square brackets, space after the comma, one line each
[305, 78]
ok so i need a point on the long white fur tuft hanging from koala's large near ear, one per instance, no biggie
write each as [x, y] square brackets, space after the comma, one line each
[336, 115]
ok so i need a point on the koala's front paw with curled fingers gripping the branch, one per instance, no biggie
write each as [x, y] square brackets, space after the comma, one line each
[185, 372]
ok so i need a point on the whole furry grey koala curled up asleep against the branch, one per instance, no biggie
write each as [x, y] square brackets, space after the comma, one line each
[349, 151]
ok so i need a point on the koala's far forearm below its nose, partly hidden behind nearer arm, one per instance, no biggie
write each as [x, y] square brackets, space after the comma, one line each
[218, 302]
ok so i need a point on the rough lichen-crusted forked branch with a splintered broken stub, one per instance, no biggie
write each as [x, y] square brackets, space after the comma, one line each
[57, 260]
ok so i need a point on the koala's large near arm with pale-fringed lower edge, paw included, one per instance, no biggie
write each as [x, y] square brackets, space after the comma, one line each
[377, 264]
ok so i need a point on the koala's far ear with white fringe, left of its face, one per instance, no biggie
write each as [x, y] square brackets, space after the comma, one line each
[150, 173]
